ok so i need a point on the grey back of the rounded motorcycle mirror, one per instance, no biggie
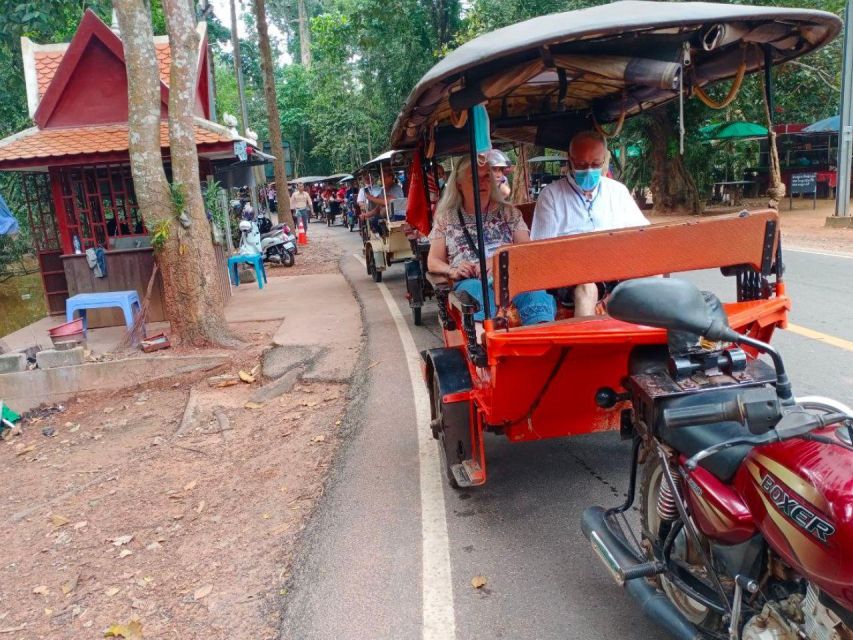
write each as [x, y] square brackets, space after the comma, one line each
[668, 303]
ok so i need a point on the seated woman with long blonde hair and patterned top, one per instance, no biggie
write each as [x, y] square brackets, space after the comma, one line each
[453, 248]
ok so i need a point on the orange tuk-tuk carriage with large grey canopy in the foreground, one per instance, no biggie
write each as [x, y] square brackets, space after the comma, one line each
[541, 81]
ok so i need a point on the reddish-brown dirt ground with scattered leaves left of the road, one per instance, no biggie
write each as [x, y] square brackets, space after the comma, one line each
[110, 516]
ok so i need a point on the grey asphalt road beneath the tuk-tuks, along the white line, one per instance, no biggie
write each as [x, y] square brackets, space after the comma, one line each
[360, 574]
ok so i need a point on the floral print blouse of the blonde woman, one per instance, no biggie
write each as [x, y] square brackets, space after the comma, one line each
[499, 225]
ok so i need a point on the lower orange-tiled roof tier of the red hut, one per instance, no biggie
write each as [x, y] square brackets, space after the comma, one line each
[34, 144]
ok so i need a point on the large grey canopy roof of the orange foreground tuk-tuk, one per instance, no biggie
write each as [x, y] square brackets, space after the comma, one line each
[609, 60]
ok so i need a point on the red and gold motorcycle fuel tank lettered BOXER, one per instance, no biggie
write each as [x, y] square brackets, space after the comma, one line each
[800, 493]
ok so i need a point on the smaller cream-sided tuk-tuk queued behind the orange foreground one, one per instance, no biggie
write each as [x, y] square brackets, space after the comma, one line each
[384, 236]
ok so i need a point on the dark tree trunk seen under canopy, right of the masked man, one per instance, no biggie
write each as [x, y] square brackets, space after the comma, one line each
[673, 188]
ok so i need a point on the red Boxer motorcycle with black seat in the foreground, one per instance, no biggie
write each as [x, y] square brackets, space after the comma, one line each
[745, 525]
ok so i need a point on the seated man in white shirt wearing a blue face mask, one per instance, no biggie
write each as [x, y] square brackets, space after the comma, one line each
[585, 200]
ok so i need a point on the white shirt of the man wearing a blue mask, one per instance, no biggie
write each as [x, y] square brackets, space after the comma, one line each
[563, 210]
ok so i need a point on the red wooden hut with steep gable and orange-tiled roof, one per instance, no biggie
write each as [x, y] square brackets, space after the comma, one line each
[75, 161]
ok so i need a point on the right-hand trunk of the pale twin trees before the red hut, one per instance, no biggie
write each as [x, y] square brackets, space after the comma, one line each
[189, 265]
